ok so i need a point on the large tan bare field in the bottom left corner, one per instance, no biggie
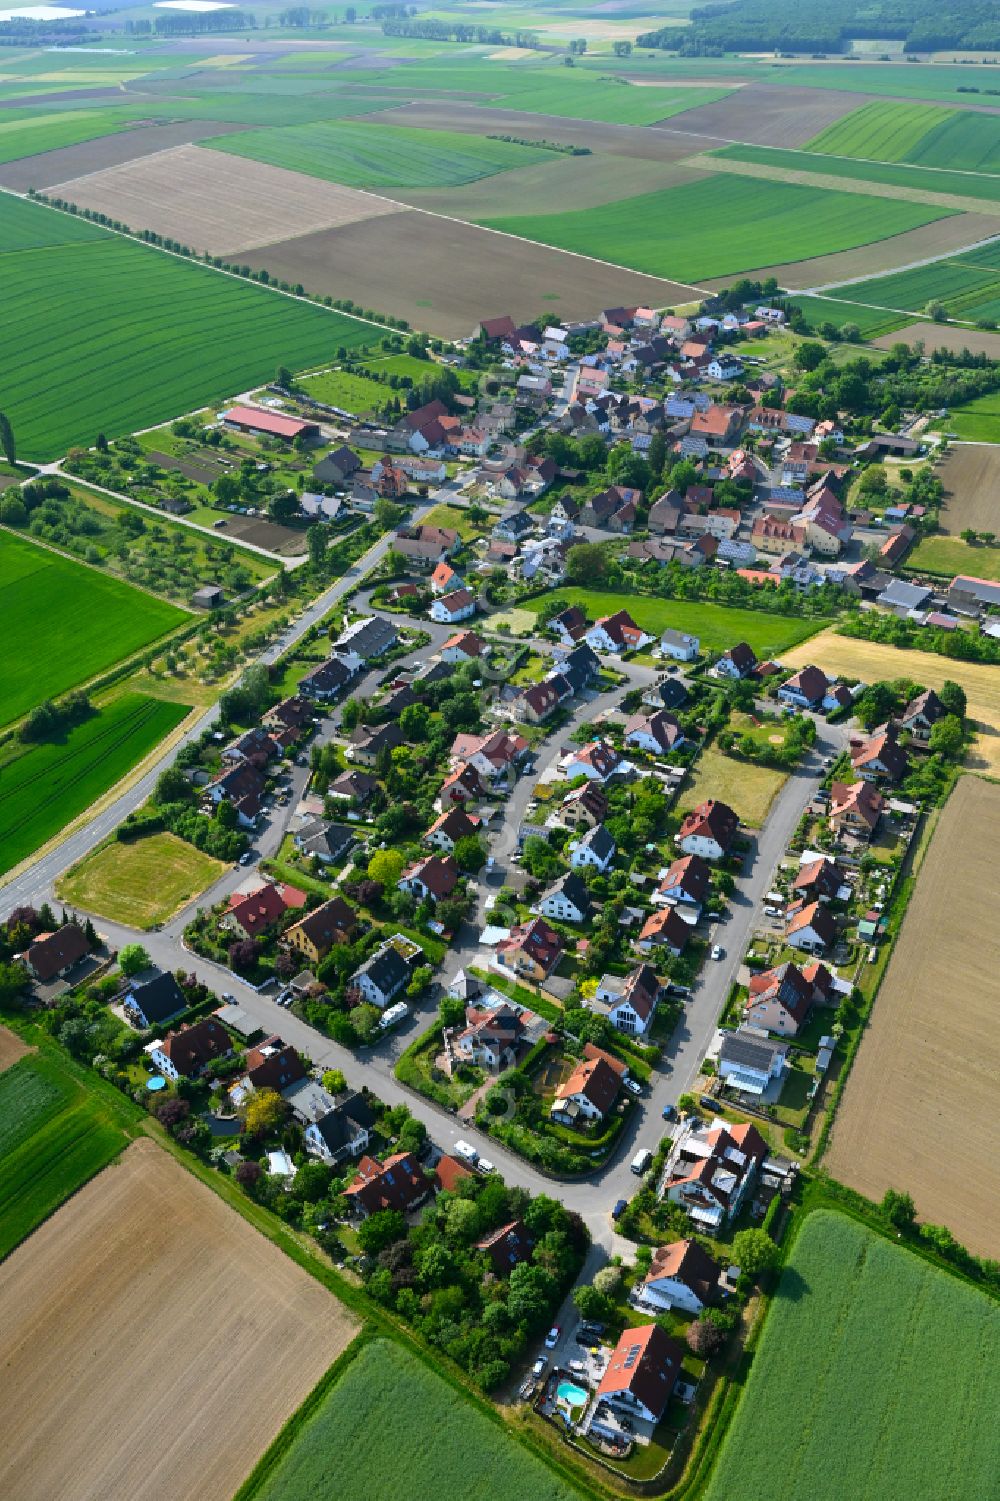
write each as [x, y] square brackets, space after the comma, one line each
[154, 1343]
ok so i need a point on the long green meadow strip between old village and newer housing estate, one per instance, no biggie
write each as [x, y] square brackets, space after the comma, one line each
[718, 627]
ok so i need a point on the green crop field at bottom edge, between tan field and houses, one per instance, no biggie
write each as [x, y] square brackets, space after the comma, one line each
[390, 1418]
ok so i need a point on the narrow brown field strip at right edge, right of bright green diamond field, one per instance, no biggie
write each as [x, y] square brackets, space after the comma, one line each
[831, 272]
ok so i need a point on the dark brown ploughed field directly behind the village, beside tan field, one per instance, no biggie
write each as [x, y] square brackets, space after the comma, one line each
[444, 275]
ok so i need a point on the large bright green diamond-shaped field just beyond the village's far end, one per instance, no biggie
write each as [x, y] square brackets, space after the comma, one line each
[706, 229]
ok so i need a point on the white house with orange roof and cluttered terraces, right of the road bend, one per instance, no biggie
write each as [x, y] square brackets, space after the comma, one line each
[711, 1170]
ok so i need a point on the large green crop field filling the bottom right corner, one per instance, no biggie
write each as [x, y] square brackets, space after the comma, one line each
[878, 1377]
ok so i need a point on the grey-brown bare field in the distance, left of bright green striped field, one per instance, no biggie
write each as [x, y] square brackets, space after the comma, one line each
[770, 115]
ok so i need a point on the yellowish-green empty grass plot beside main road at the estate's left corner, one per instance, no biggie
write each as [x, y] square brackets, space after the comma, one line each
[142, 882]
